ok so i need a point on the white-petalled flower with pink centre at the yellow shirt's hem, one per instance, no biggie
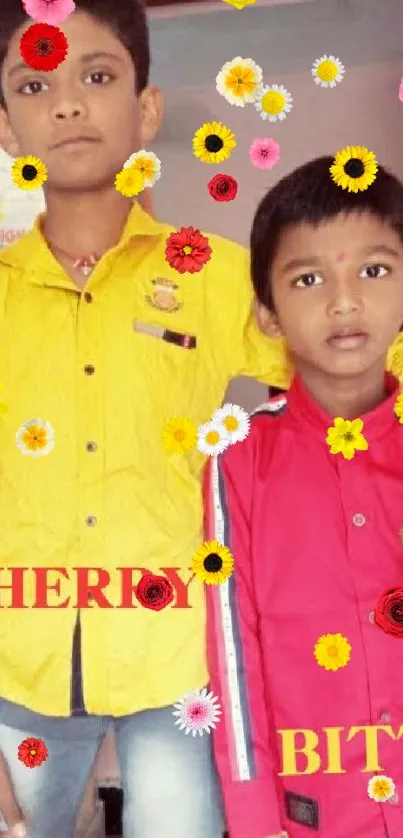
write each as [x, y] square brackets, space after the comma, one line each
[198, 711]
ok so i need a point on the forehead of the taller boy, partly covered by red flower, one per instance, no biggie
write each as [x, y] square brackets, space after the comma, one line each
[85, 35]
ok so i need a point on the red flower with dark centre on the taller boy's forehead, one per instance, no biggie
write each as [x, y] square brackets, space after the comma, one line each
[43, 47]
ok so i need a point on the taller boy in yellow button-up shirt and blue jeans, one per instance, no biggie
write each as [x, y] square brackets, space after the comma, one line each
[105, 341]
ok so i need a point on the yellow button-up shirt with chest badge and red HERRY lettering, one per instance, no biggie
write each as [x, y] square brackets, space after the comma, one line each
[109, 495]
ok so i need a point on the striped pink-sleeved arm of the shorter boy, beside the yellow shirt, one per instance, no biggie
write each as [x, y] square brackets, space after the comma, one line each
[242, 747]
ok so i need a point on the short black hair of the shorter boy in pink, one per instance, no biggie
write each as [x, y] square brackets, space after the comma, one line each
[309, 195]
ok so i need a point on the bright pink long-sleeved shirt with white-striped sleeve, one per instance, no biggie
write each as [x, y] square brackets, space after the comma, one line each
[316, 543]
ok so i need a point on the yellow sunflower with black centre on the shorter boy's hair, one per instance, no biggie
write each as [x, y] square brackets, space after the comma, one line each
[354, 168]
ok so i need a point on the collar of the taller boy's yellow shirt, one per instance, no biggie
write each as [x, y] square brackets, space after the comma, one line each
[31, 253]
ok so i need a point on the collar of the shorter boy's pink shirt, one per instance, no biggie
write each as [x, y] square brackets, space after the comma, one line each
[313, 419]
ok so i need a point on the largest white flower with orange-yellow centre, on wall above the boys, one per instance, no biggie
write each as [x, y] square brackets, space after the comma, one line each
[239, 80]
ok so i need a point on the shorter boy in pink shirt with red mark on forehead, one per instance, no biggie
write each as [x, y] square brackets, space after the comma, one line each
[305, 638]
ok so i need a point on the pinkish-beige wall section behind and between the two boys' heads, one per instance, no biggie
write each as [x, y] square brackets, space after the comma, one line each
[364, 109]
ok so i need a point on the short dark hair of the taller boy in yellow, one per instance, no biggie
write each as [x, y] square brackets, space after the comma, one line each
[127, 19]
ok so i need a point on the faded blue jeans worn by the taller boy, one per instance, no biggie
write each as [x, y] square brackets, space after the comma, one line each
[169, 779]
